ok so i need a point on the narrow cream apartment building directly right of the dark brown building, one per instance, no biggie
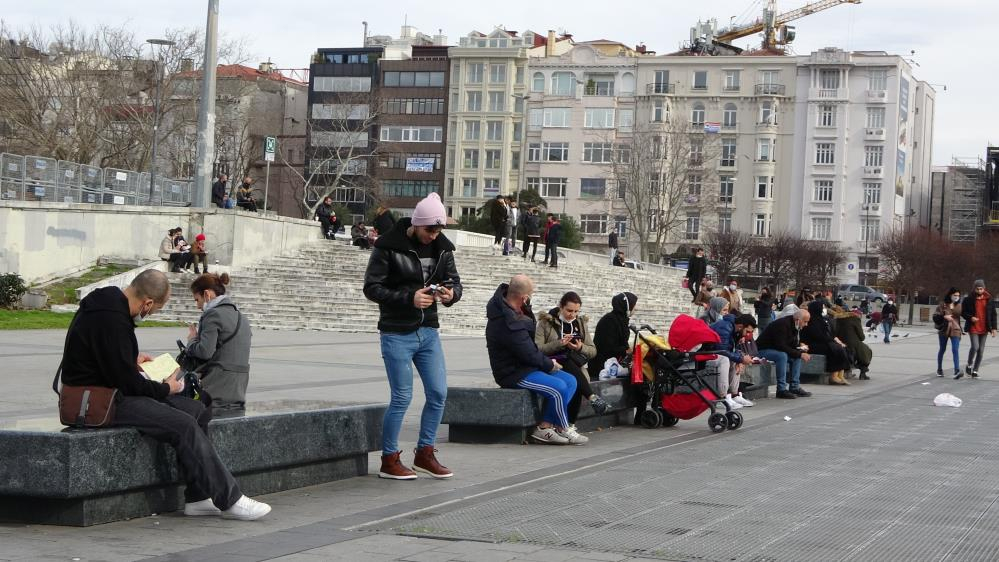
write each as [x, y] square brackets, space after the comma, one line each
[488, 89]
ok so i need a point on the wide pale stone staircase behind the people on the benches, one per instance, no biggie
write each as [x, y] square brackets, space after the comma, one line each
[319, 287]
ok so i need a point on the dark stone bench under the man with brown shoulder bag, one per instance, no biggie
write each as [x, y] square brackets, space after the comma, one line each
[60, 476]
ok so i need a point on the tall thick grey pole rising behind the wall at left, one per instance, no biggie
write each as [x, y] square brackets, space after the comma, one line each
[206, 112]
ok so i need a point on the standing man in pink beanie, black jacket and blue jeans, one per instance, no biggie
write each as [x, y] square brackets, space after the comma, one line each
[411, 269]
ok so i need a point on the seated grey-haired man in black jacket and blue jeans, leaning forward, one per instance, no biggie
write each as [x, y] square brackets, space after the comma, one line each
[780, 343]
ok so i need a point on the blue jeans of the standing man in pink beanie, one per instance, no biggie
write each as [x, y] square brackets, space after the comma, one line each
[400, 352]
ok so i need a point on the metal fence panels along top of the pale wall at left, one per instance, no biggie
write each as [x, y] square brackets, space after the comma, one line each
[36, 178]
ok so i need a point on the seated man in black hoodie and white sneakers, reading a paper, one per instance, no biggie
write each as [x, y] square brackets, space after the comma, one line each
[101, 350]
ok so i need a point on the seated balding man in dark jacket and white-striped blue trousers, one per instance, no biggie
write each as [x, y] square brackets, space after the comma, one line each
[517, 362]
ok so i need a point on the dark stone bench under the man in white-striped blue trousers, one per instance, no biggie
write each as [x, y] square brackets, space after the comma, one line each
[505, 415]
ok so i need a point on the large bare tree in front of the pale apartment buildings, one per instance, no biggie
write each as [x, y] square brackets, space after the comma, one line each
[665, 173]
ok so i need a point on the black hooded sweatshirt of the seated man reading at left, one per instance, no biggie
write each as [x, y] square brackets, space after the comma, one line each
[101, 348]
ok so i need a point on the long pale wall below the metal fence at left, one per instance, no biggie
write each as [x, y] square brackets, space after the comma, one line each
[41, 241]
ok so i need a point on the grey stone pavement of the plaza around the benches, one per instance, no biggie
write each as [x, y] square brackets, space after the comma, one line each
[867, 472]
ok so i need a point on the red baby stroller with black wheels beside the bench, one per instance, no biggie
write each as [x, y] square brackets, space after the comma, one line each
[674, 371]
